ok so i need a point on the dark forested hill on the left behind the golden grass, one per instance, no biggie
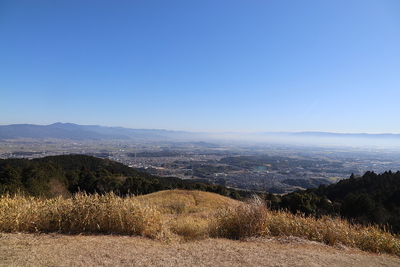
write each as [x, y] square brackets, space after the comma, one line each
[67, 174]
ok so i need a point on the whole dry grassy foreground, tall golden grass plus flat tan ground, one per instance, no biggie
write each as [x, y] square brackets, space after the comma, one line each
[180, 228]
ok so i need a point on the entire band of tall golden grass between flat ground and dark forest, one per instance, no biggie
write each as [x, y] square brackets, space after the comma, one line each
[182, 215]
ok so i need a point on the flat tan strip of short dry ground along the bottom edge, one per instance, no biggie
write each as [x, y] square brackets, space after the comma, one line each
[109, 250]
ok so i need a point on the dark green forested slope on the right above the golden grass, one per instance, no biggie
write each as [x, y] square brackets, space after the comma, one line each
[368, 199]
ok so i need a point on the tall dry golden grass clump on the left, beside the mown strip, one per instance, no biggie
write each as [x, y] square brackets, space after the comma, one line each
[80, 214]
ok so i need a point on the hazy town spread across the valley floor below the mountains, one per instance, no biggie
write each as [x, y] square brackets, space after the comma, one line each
[255, 166]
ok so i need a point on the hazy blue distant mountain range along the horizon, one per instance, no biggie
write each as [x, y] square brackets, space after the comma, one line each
[70, 131]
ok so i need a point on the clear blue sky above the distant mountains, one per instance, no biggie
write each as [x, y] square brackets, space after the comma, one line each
[203, 65]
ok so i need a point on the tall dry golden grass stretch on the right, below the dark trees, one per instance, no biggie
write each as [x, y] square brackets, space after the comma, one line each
[255, 219]
